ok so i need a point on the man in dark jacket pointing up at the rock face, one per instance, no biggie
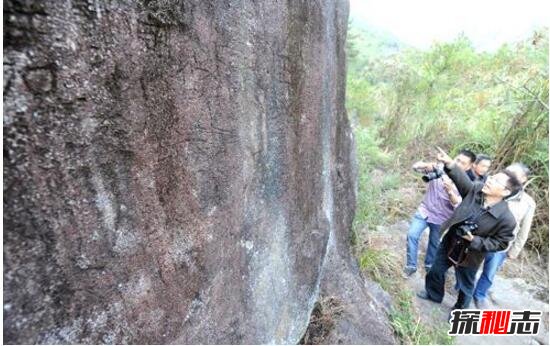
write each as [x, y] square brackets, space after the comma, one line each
[482, 223]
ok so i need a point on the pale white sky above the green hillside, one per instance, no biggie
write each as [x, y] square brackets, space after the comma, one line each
[488, 23]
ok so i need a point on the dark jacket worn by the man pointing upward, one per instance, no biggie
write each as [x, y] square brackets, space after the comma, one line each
[495, 227]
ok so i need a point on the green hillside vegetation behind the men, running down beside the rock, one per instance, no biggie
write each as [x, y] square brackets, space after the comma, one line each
[404, 104]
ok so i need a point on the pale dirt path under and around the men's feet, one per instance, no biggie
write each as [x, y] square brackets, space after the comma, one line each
[520, 285]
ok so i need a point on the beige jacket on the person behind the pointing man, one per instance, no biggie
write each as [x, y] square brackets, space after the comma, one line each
[522, 207]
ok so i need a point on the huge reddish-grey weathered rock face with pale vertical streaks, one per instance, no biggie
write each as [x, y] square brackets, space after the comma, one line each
[175, 171]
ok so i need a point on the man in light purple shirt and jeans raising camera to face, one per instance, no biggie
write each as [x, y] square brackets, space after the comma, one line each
[437, 206]
